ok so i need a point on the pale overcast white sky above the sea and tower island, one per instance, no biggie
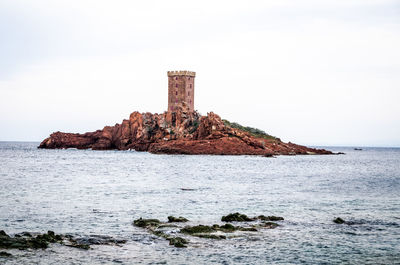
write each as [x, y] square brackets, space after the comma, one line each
[308, 71]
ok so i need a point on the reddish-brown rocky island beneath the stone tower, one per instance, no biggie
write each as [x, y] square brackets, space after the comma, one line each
[180, 132]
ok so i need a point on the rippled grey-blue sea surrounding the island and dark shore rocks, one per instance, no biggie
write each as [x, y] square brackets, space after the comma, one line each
[85, 192]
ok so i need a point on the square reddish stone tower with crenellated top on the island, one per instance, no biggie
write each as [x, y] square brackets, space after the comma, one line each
[180, 89]
